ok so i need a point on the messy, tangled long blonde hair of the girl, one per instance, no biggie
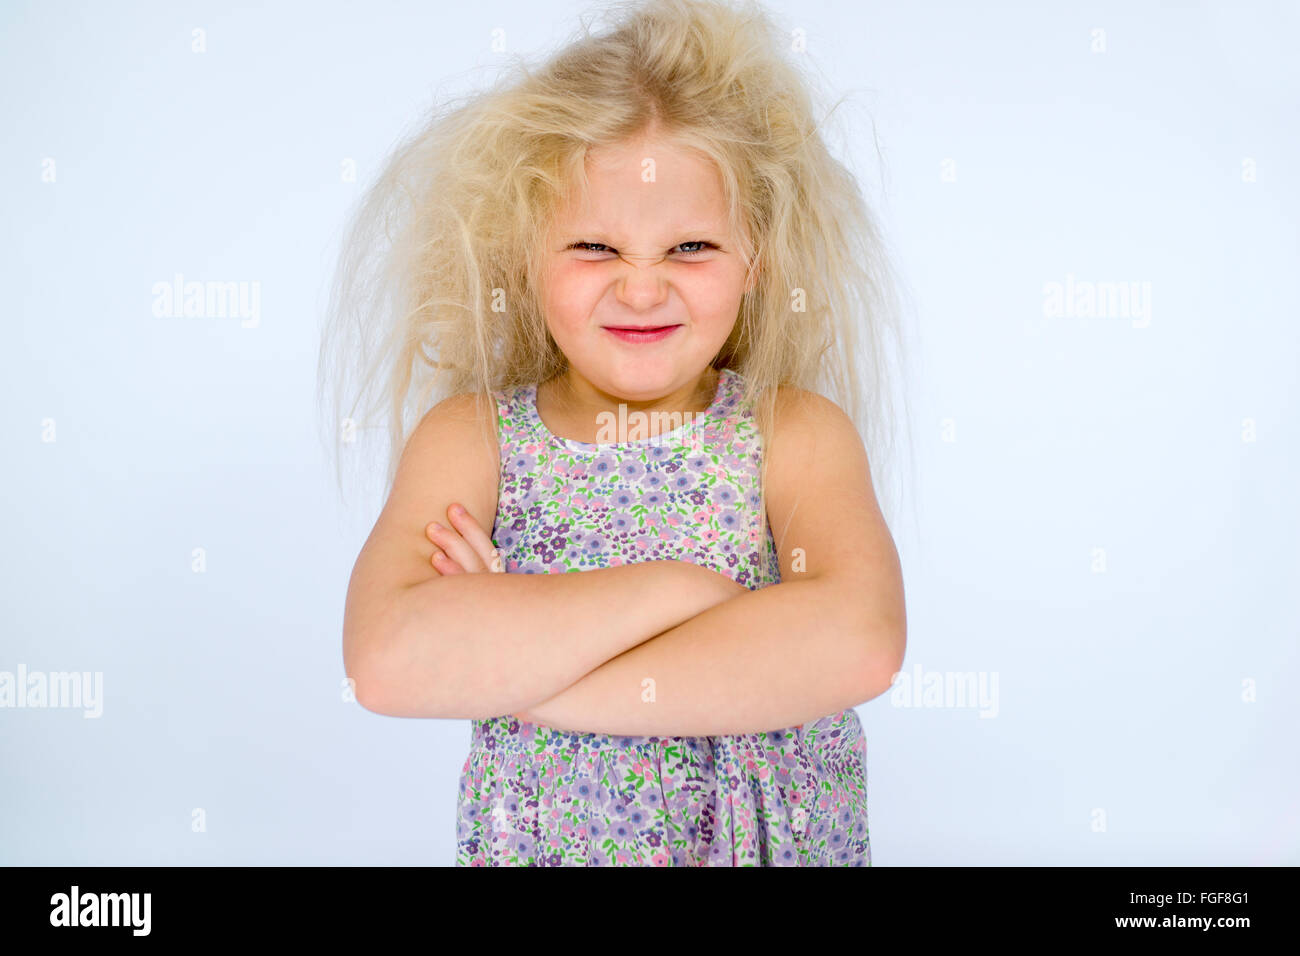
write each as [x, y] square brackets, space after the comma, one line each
[454, 227]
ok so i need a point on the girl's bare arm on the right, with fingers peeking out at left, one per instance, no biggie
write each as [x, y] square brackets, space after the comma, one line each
[827, 638]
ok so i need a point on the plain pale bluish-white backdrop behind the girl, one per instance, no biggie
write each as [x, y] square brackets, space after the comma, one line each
[1102, 527]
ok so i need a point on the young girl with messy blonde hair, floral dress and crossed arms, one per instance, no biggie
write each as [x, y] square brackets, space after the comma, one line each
[627, 276]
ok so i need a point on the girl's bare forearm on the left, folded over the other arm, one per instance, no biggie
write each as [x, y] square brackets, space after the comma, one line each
[478, 646]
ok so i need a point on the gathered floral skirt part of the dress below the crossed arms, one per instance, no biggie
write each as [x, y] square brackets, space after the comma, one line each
[538, 797]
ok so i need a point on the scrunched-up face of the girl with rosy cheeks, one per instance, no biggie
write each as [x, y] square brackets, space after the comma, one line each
[651, 250]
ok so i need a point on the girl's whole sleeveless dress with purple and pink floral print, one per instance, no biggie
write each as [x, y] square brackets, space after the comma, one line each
[539, 797]
